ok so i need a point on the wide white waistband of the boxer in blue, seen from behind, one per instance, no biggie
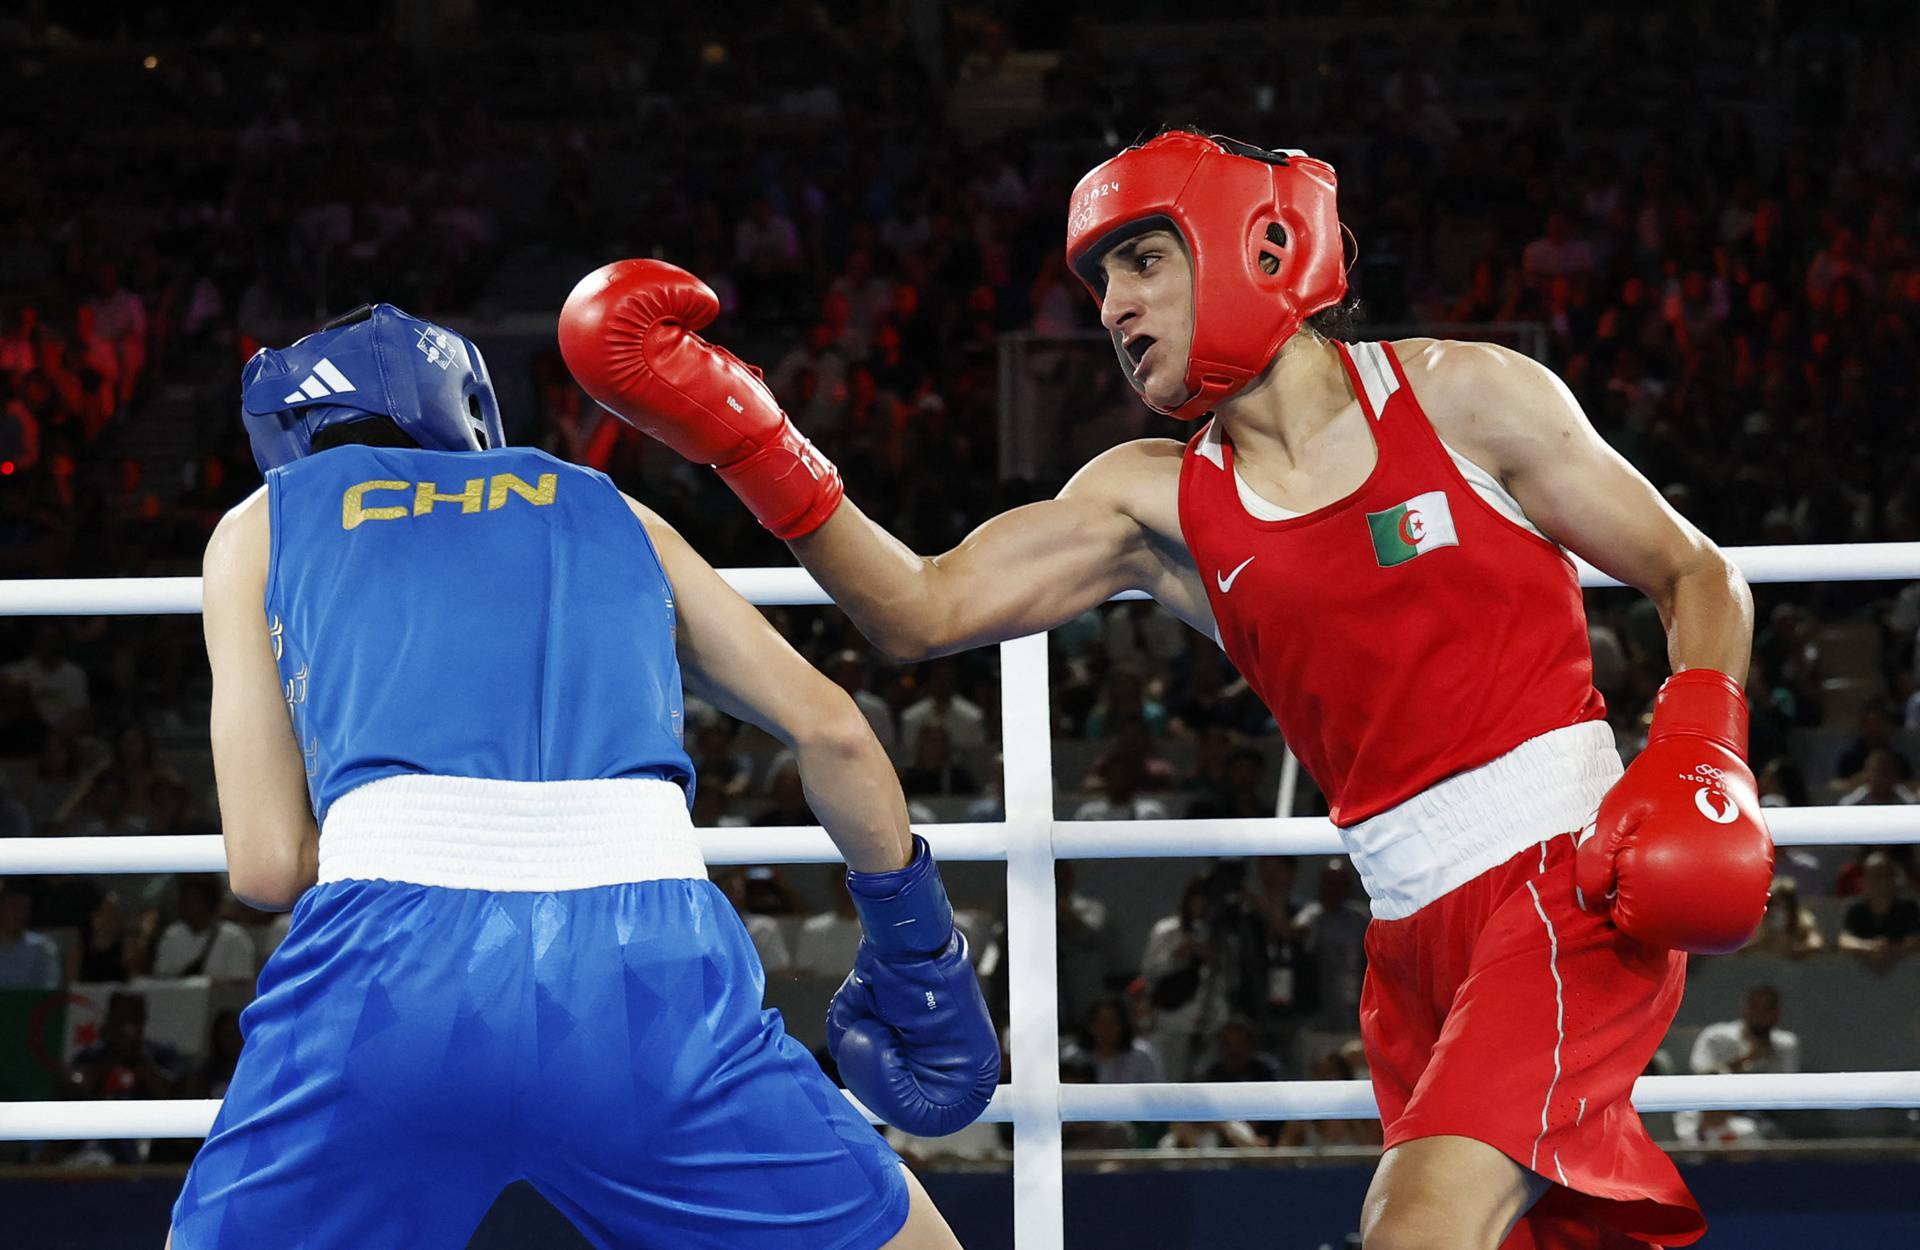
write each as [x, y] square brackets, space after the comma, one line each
[510, 836]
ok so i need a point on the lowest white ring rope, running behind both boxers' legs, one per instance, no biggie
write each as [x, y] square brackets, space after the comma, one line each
[1097, 1103]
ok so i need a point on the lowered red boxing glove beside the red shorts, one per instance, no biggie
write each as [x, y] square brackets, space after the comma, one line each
[1679, 855]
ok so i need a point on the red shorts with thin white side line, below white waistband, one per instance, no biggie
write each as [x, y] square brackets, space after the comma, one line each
[1506, 1015]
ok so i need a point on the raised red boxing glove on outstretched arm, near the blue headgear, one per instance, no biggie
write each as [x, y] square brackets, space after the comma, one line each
[629, 337]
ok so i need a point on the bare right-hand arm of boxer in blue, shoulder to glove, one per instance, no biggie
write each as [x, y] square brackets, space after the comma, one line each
[732, 658]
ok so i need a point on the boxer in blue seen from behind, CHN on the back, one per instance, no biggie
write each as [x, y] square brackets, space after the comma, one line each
[448, 736]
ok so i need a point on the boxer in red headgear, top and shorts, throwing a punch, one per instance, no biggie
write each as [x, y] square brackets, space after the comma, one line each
[1380, 539]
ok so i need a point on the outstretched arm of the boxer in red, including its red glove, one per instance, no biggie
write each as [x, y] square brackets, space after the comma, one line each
[631, 335]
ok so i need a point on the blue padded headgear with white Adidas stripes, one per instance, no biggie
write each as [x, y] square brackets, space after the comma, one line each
[375, 362]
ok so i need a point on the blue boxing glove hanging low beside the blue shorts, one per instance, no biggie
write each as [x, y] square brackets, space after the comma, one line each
[909, 1026]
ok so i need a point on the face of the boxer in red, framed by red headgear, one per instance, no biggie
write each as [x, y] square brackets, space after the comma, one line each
[1149, 310]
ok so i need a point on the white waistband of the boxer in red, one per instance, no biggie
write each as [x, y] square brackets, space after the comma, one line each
[1479, 819]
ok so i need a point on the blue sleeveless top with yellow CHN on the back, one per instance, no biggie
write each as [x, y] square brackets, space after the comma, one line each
[469, 613]
